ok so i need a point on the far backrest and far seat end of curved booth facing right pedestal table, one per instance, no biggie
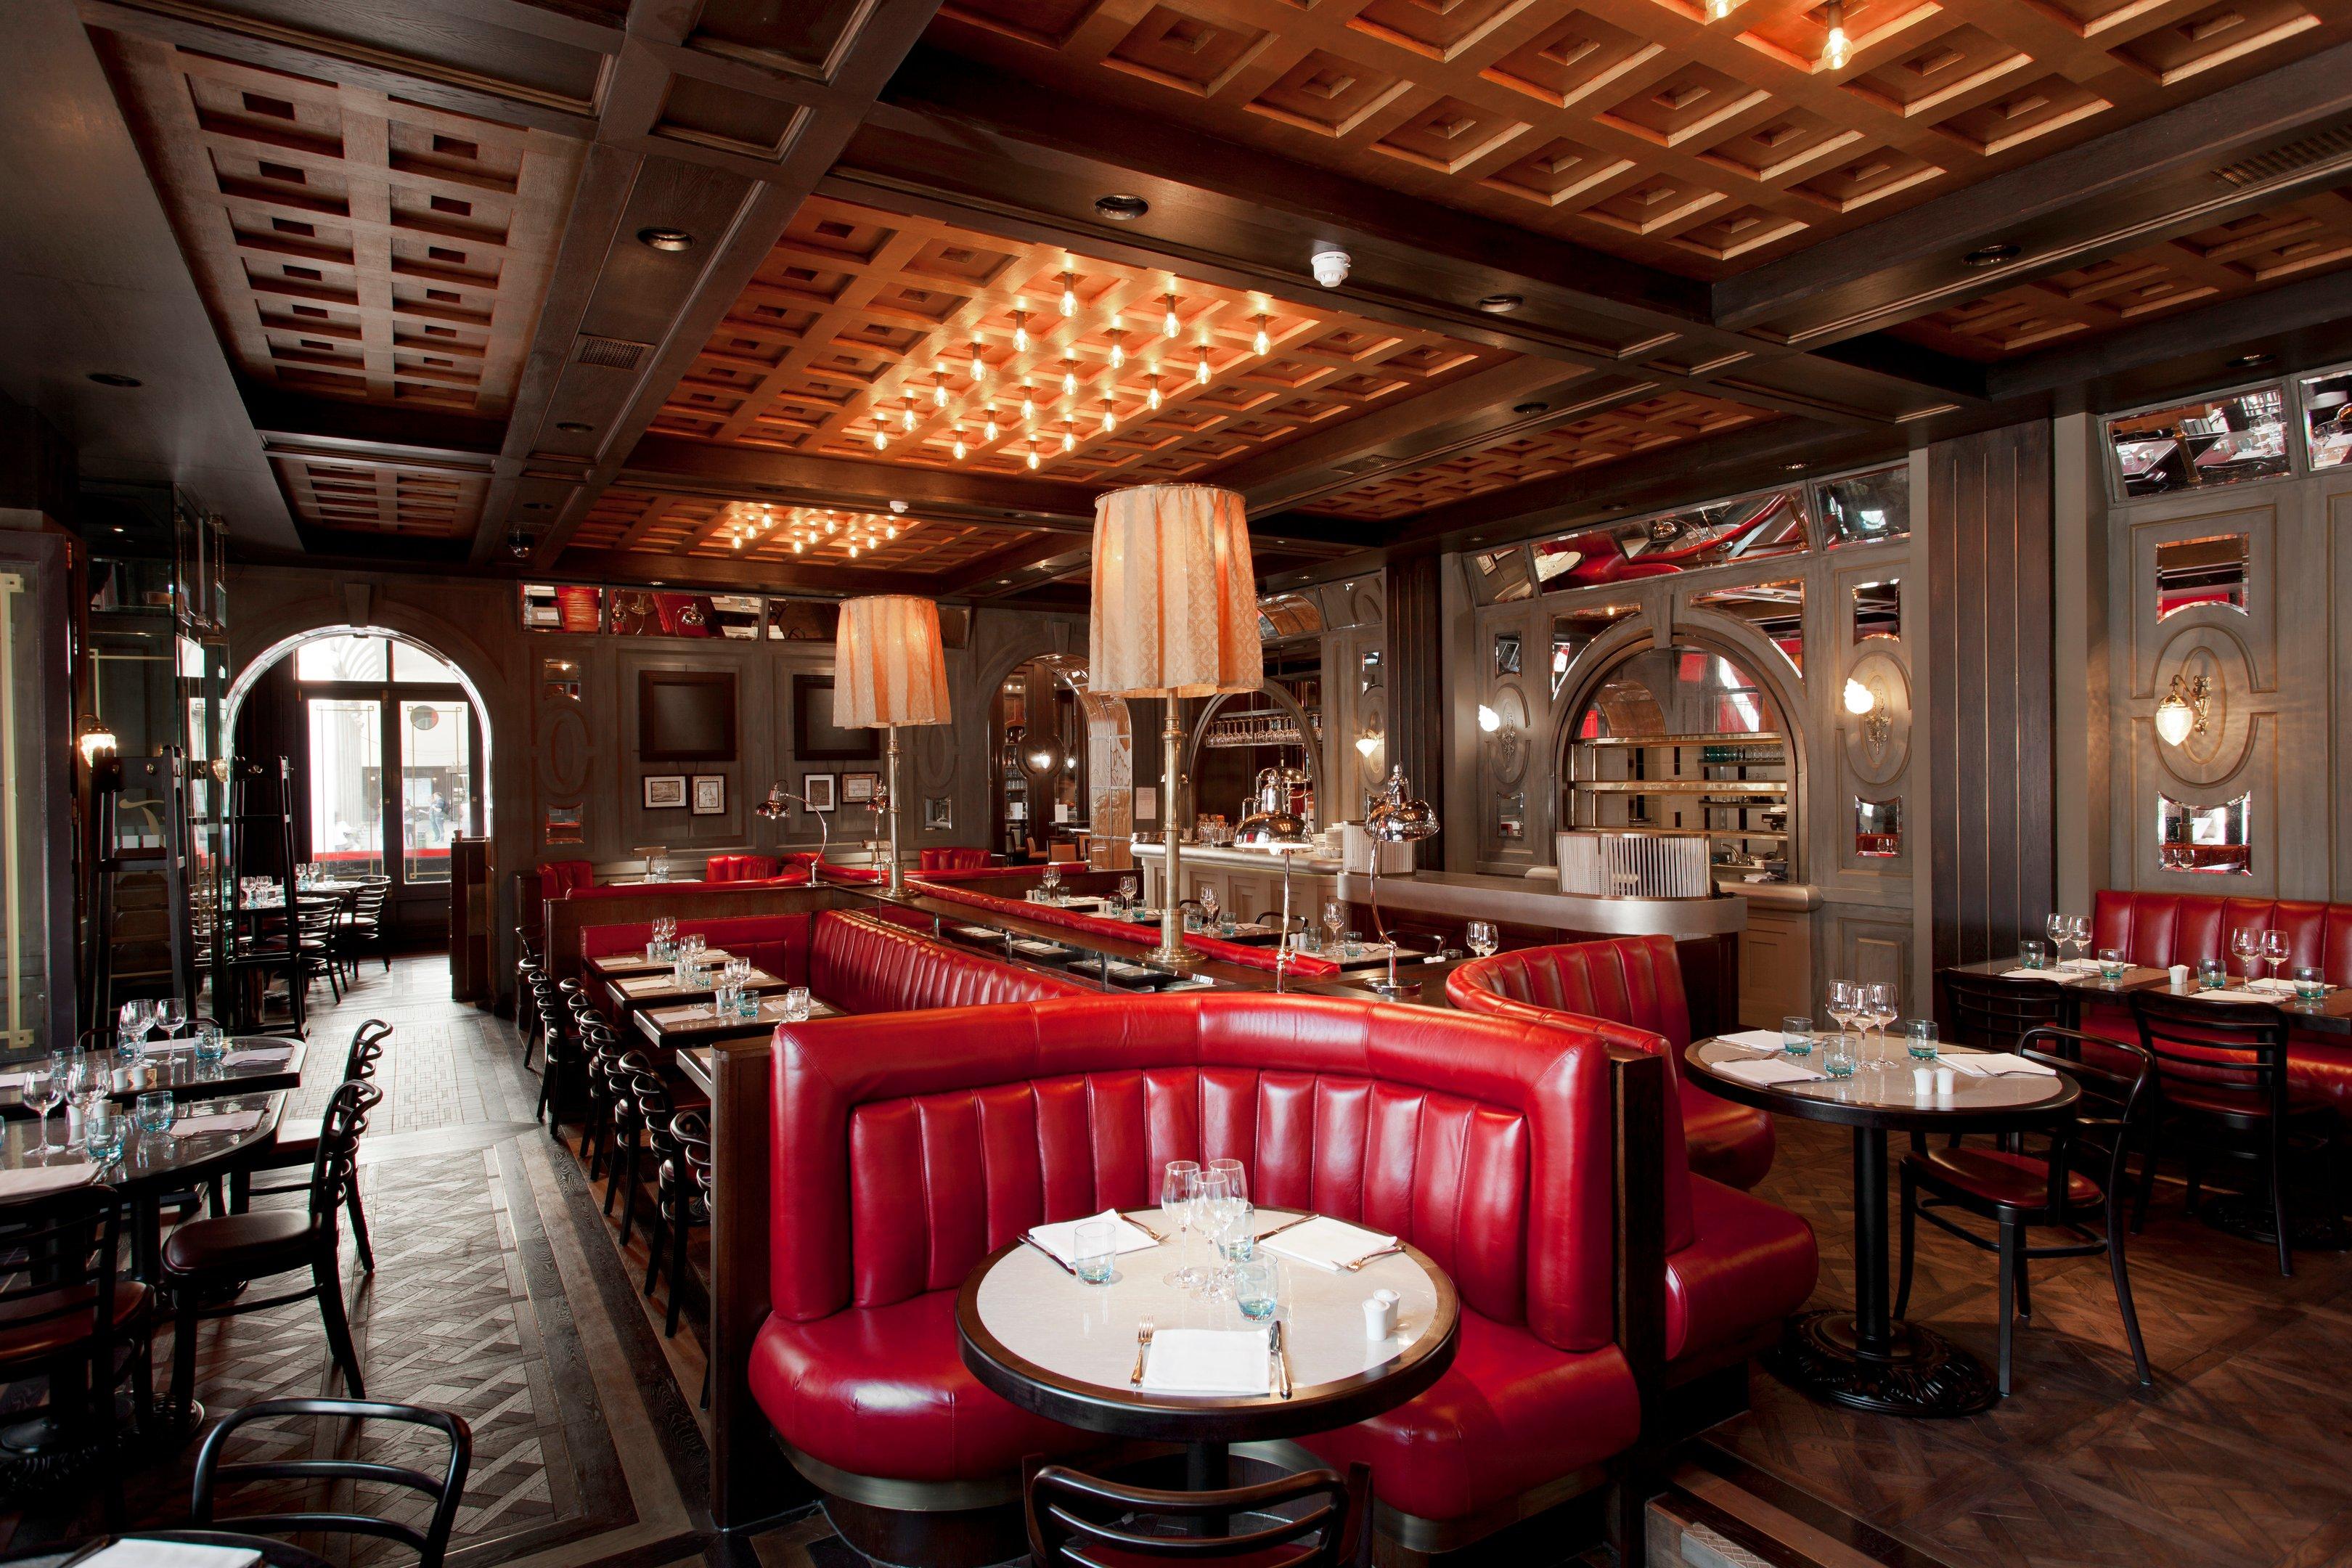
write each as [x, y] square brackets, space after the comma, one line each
[1636, 981]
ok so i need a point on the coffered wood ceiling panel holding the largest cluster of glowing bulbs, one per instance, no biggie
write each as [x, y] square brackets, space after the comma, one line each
[900, 340]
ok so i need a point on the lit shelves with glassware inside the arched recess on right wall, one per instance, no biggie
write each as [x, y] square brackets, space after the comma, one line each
[1732, 789]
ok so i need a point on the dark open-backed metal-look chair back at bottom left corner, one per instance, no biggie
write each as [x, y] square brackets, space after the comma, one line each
[432, 1543]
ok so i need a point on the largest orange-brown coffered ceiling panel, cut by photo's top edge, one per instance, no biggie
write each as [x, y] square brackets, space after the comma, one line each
[1641, 126]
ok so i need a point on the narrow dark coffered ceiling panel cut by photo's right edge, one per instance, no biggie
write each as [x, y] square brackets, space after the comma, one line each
[2240, 257]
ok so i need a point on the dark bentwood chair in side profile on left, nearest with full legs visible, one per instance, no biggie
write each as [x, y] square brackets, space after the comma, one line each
[206, 1261]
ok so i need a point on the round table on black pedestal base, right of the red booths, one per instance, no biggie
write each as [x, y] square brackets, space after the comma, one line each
[1866, 1358]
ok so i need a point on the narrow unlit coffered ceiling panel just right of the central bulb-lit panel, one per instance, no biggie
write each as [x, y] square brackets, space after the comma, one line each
[1601, 438]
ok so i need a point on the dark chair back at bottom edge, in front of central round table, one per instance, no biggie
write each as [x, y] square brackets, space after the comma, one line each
[1083, 1522]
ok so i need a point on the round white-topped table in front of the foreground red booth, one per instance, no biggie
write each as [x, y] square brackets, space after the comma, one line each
[1067, 1351]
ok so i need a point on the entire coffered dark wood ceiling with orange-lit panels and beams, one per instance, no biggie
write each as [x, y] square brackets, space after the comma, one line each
[1605, 253]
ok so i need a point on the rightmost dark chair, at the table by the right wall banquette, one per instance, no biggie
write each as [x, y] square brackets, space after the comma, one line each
[2224, 1092]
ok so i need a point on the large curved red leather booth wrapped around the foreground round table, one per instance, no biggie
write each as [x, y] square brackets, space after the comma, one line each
[914, 1146]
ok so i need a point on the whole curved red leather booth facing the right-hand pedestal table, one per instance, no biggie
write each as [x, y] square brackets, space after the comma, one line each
[1735, 1266]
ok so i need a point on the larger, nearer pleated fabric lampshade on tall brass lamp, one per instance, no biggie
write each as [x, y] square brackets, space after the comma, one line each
[1175, 594]
